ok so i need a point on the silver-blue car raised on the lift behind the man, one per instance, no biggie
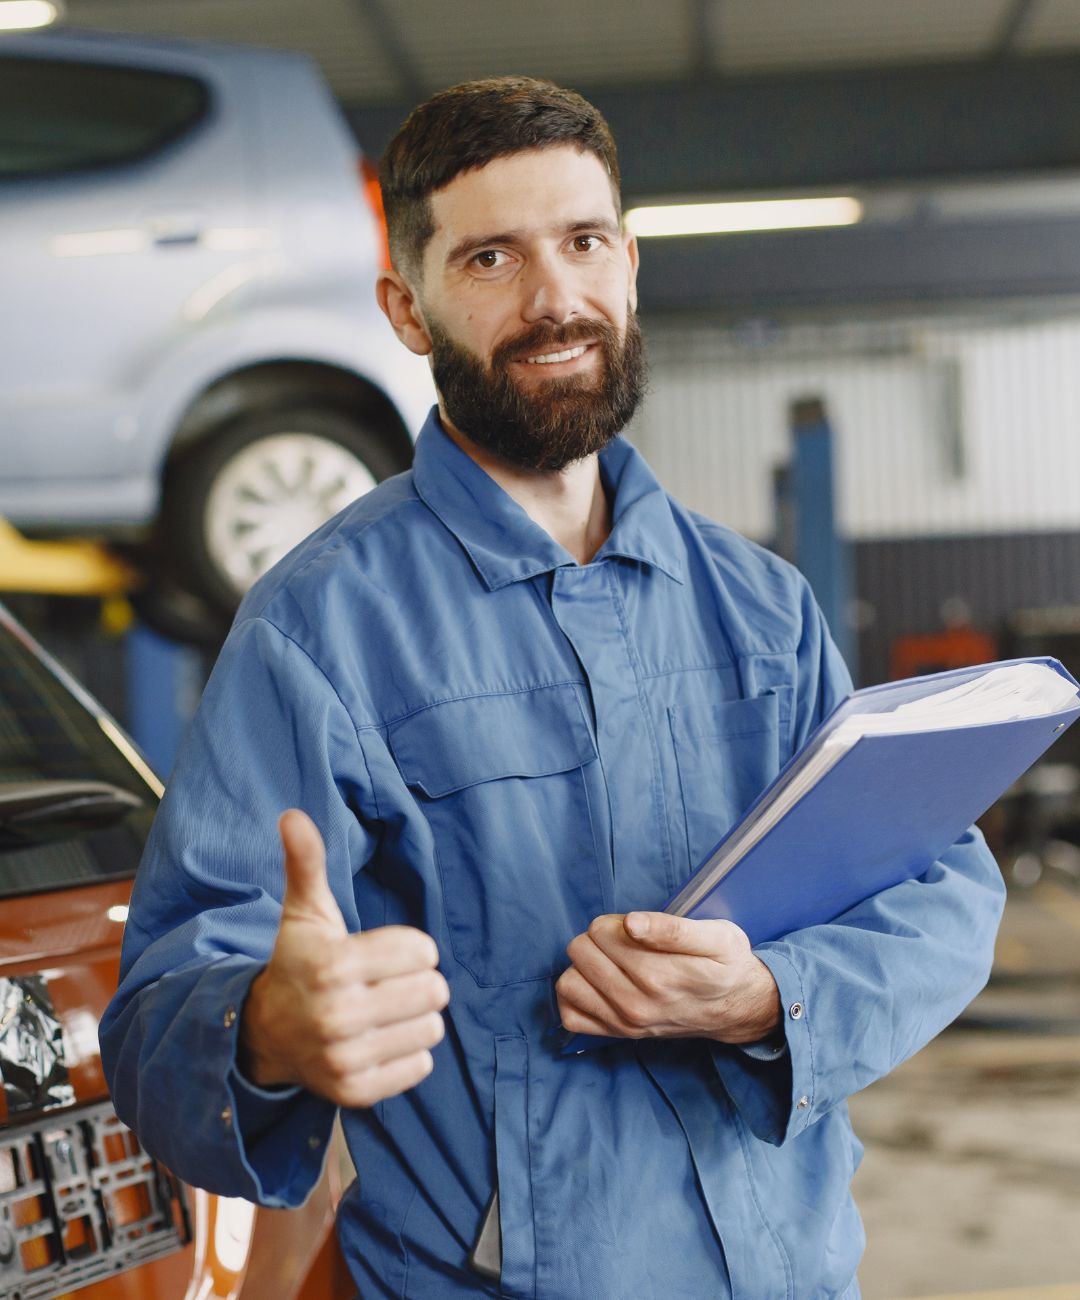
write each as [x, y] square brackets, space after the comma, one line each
[193, 357]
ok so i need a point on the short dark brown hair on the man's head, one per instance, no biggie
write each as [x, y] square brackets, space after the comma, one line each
[469, 127]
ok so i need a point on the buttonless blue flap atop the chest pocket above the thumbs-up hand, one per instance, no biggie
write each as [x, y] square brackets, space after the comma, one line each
[462, 743]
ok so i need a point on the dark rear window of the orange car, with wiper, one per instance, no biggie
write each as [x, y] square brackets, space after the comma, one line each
[46, 736]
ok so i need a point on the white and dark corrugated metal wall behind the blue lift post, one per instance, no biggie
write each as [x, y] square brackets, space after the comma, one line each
[957, 452]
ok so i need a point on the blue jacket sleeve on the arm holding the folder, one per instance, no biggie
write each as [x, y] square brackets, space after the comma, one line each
[864, 994]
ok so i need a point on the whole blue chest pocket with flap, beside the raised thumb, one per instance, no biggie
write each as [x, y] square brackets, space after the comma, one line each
[502, 782]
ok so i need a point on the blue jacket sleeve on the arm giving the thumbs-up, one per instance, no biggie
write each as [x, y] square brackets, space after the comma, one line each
[271, 734]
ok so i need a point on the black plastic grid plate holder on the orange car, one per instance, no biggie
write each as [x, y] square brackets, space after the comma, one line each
[80, 1202]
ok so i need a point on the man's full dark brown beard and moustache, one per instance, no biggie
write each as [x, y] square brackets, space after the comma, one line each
[559, 422]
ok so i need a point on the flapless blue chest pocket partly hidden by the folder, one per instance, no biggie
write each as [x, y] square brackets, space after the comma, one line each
[727, 755]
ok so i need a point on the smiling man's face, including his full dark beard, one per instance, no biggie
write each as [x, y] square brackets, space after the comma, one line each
[528, 297]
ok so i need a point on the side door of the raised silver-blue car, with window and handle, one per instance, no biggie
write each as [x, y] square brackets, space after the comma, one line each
[124, 180]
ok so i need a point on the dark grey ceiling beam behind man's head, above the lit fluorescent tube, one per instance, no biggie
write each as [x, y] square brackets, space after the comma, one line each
[741, 135]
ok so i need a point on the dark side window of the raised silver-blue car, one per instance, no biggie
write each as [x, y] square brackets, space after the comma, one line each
[58, 116]
